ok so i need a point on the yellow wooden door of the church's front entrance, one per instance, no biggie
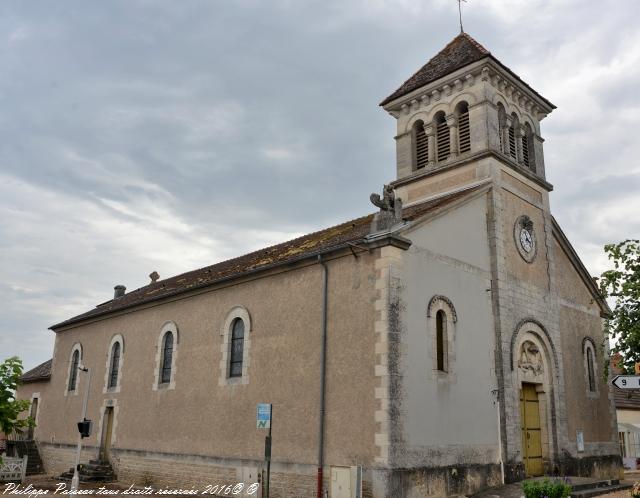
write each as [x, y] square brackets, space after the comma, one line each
[531, 434]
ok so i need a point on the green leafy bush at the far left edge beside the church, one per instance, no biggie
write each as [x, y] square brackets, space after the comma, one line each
[11, 408]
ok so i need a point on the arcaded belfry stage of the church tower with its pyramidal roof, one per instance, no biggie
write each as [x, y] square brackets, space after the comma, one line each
[458, 115]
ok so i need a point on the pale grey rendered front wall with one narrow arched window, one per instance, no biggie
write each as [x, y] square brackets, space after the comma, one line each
[449, 418]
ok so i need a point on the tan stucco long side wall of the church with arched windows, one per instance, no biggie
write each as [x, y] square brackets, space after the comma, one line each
[201, 417]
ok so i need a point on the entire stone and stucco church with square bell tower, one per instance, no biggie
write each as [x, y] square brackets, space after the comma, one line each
[450, 341]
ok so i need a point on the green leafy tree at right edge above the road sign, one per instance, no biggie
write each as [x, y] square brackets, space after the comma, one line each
[621, 285]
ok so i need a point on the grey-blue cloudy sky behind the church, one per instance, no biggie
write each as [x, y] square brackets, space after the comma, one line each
[160, 135]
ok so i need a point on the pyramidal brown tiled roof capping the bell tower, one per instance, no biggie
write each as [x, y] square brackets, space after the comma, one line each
[460, 52]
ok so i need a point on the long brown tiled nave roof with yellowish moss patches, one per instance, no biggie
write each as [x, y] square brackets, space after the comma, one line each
[287, 252]
